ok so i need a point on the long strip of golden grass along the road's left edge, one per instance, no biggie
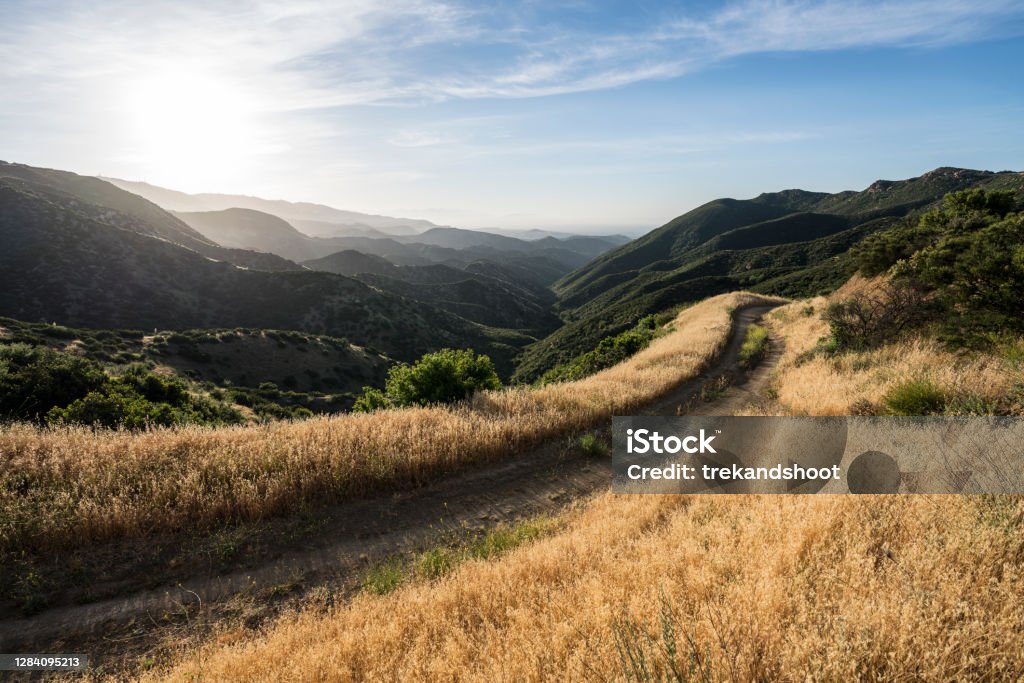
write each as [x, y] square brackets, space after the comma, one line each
[66, 487]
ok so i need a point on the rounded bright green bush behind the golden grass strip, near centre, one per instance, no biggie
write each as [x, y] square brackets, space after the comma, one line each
[444, 377]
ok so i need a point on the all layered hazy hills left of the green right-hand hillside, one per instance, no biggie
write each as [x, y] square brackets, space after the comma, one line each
[87, 253]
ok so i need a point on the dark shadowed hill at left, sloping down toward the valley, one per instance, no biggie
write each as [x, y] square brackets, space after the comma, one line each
[81, 252]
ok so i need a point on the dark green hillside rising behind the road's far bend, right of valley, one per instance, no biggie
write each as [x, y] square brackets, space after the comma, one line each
[793, 243]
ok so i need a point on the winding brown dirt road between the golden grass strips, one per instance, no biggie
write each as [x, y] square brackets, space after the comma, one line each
[332, 546]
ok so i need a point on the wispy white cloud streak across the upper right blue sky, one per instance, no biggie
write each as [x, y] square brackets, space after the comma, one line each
[674, 46]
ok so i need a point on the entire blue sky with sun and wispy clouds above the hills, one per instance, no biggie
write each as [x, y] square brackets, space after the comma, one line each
[571, 115]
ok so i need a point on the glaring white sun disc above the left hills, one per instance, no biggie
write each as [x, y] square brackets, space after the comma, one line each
[189, 129]
